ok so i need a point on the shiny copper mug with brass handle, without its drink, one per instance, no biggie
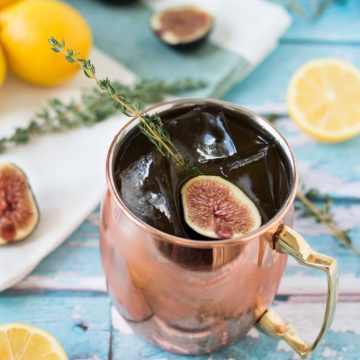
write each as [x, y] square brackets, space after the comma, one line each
[193, 297]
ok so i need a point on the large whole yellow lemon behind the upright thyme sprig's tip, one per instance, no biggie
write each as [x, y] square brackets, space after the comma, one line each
[24, 31]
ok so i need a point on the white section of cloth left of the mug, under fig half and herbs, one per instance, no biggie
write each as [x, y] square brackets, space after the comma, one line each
[66, 171]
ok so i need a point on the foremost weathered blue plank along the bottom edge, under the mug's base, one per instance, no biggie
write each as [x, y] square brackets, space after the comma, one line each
[75, 323]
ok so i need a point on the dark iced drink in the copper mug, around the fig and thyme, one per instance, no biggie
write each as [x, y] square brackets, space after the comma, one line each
[217, 141]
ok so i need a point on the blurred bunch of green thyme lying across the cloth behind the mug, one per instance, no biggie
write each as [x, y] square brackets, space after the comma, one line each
[94, 106]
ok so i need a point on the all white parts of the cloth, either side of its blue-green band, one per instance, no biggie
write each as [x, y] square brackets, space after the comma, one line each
[67, 171]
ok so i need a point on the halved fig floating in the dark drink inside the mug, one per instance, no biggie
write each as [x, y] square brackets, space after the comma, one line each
[218, 209]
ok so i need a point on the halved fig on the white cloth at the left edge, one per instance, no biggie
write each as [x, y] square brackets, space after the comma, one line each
[19, 213]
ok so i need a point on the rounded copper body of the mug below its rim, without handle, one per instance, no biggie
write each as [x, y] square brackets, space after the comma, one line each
[185, 299]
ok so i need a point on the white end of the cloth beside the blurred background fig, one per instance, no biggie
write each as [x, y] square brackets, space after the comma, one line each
[249, 28]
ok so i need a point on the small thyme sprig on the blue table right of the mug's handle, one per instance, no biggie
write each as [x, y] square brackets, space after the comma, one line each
[323, 215]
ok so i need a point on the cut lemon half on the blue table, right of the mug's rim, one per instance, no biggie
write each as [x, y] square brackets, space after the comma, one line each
[324, 100]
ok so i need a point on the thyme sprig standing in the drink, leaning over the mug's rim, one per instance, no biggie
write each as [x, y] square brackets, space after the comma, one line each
[150, 125]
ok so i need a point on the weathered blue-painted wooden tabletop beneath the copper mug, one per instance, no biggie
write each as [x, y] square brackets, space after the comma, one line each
[66, 293]
